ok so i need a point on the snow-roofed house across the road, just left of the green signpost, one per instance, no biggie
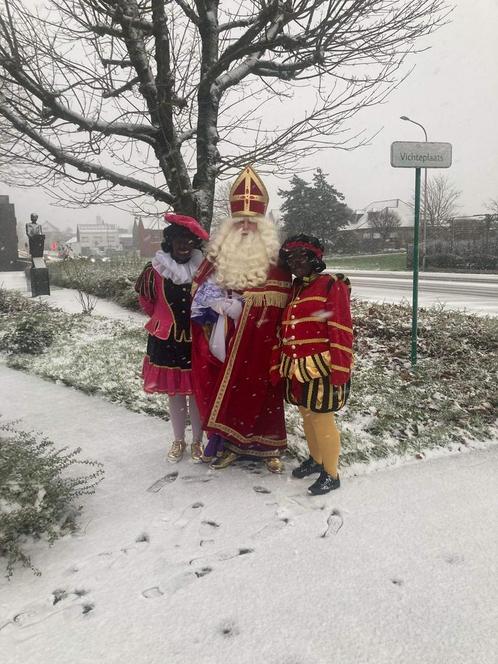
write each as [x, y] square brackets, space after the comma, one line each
[361, 234]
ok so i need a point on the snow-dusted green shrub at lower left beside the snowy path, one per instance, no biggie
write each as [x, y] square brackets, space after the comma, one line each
[36, 498]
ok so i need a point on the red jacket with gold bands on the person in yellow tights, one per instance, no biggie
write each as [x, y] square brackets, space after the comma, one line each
[317, 319]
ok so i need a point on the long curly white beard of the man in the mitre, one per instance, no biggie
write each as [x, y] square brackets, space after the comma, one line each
[243, 261]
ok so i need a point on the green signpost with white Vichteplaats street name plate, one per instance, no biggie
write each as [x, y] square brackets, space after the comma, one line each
[409, 154]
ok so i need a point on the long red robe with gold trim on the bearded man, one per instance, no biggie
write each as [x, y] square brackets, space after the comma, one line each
[236, 398]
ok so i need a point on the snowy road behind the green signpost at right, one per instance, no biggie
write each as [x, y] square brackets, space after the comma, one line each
[477, 293]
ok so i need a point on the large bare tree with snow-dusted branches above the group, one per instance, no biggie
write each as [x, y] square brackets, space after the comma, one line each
[119, 100]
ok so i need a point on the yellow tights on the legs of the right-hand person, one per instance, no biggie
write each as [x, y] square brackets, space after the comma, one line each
[323, 437]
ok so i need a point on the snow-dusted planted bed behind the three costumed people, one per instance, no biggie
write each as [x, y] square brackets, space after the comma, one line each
[393, 412]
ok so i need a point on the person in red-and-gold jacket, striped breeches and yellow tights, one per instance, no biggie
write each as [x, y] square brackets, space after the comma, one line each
[316, 356]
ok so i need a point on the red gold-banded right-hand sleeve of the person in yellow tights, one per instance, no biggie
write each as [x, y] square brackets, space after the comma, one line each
[340, 330]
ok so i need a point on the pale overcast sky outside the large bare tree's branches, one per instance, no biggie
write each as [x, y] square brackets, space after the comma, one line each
[453, 92]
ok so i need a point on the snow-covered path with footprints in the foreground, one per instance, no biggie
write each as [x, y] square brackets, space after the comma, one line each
[183, 564]
